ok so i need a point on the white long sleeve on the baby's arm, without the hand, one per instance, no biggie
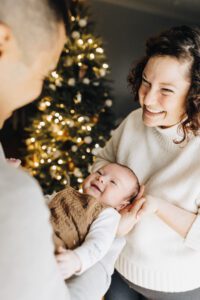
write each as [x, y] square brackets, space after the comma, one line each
[99, 239]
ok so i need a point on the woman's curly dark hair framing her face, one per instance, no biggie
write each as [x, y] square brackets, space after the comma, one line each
[183, 43]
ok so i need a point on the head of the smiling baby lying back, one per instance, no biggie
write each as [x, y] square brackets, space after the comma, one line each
[114, 184]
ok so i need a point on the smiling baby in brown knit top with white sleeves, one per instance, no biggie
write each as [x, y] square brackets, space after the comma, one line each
[87, 223]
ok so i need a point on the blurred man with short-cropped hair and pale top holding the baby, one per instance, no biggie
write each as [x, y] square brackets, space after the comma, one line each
[32, 35]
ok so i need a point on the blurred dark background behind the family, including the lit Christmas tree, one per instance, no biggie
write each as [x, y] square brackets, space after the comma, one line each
[87, 96]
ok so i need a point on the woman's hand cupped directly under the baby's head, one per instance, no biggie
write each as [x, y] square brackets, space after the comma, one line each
[129, 215]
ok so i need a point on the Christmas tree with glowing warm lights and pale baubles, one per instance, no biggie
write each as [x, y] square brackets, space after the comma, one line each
[74, 116]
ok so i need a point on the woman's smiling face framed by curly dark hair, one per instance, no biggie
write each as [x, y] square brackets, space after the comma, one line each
[163, 90]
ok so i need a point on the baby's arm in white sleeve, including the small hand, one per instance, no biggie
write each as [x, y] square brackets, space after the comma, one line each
[97, 243]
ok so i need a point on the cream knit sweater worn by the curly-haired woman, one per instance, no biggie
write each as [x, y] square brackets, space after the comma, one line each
[155, 256]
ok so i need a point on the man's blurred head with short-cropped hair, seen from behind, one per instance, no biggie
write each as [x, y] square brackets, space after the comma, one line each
[32, 35]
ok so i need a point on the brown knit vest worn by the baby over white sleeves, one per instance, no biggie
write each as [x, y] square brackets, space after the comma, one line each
[72, 213]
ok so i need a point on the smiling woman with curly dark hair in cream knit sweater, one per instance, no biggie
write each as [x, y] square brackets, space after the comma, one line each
[161, 143]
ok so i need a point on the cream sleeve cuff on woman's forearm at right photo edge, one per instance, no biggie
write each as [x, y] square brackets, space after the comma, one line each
[192, 239]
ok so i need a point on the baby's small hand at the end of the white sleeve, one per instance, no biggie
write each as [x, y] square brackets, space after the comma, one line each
[68, 262]
